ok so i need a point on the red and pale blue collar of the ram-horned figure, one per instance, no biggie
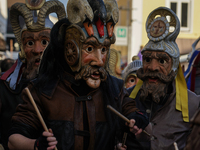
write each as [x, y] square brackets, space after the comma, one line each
[14, 74]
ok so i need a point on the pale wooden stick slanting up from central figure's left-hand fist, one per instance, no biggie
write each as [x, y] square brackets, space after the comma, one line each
[37, 111]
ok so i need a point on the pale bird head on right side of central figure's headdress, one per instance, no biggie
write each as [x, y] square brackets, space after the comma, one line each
[112, 10]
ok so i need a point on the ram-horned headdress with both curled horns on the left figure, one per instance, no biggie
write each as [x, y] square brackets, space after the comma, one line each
[34, 21]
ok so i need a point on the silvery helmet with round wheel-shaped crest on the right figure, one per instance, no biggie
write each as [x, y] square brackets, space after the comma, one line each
[160, 36]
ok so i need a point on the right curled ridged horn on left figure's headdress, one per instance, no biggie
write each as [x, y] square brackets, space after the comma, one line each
[49, 7]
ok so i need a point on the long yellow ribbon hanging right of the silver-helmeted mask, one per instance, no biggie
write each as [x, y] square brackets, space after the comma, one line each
[182, 95]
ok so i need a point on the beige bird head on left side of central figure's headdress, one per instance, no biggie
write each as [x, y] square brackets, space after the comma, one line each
[78, 10]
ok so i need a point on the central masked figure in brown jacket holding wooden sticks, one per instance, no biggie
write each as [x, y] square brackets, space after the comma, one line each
[74, 88]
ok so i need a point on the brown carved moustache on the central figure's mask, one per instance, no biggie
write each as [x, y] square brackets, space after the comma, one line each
[88, 70]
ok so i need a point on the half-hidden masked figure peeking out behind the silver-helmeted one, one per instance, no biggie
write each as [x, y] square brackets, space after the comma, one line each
[129, 73]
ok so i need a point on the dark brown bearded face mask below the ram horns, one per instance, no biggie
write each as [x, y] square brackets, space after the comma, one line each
[34, 44]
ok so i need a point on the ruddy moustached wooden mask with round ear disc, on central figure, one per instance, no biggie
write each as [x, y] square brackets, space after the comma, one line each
[87, 56]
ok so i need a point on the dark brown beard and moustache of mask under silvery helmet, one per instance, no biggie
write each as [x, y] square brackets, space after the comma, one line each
[154, 91]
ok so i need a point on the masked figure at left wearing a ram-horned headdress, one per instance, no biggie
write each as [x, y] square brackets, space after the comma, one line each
[32, 38]
